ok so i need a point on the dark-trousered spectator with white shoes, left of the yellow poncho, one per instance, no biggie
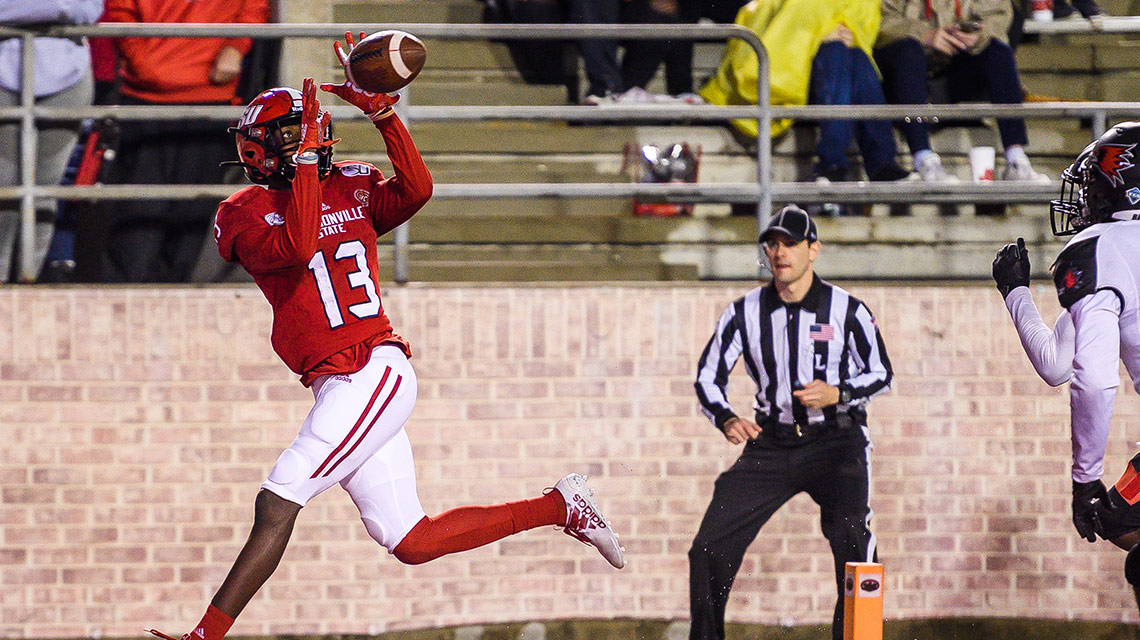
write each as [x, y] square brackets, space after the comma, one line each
[610, 82]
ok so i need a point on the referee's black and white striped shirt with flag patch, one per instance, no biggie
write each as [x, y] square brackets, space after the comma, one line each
[829, 336]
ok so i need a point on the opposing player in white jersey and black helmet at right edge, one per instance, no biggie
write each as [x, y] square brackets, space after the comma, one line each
[1097, 277]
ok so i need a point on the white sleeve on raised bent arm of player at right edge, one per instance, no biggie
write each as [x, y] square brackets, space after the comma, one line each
[1049, 351]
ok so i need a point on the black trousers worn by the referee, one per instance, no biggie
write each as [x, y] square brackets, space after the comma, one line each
[834, 469]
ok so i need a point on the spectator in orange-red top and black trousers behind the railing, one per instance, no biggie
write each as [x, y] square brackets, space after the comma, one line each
[160, 241]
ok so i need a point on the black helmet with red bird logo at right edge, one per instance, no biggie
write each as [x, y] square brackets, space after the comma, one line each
[1102, 184]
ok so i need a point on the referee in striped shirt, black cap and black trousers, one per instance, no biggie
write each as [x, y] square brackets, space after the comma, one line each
[817, 358]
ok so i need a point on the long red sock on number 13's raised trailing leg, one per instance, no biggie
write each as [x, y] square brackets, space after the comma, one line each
[468, 528]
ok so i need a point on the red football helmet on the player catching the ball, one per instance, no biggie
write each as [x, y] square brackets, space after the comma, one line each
[270, 133]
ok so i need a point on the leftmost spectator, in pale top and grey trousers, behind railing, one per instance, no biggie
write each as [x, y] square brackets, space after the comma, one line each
[62, 77]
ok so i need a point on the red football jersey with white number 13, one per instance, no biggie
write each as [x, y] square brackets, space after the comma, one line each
[327, 302]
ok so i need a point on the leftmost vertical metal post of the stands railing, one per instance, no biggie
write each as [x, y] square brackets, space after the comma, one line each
[28, 153]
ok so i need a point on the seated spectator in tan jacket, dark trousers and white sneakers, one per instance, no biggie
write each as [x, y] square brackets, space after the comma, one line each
[965, 42]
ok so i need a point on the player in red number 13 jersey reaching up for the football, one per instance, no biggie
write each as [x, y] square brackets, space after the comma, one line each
[308, 238]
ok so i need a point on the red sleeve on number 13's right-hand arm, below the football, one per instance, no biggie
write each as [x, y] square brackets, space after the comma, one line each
[395, 200]
